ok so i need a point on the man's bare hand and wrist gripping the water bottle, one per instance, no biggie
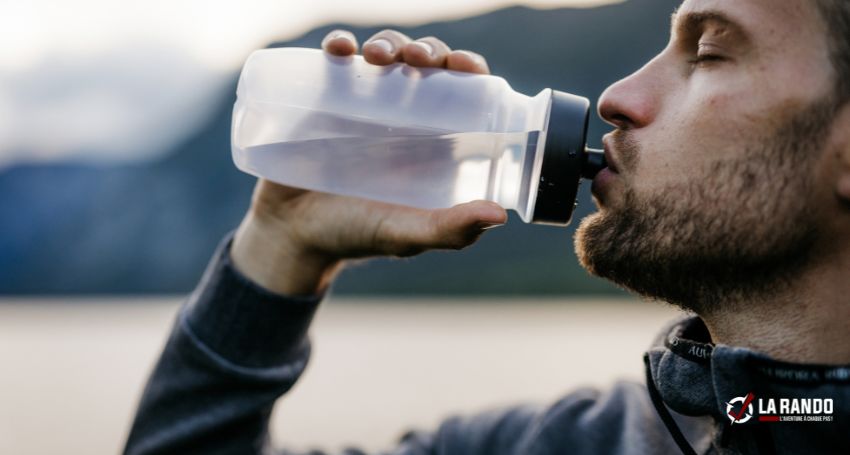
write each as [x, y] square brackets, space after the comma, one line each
[293, 241]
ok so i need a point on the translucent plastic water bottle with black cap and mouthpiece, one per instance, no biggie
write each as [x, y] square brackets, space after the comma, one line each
[422, 137]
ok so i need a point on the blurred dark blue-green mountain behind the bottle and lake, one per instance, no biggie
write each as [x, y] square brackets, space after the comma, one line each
[150, 228]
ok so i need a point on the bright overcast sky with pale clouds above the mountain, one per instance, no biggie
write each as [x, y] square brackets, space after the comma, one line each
[106, 80]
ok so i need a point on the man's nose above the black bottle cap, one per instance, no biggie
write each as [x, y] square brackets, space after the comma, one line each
[631, 102]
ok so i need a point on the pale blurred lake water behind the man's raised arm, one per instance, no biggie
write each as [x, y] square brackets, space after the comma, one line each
[72, 374]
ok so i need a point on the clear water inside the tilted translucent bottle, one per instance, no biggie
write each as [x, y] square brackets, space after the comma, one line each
[423, 170]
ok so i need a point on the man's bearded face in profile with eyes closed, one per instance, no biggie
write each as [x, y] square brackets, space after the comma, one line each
[718, 156]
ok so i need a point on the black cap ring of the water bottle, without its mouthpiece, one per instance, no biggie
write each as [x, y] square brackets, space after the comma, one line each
[563, 156]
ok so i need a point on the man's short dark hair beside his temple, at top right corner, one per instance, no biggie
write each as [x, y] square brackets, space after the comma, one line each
[836, 16]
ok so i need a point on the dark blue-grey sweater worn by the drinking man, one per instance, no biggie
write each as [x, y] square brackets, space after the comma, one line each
[236, 348]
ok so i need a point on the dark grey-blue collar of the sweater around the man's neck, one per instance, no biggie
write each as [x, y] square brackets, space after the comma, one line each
[695, 377]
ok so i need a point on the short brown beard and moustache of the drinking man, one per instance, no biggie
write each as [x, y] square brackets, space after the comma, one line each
[744, 229]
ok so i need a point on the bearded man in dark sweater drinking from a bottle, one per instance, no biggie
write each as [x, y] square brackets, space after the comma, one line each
[727, 194]
